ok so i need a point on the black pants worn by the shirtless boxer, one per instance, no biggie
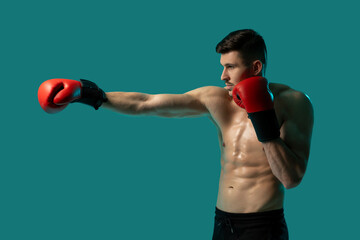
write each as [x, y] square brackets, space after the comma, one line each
[269, 225]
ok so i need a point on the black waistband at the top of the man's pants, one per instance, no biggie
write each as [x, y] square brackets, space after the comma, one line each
[273, 214]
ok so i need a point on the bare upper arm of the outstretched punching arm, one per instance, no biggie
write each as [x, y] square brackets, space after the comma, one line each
[175, 105]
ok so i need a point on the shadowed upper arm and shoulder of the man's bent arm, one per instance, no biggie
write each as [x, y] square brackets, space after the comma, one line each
[296, 130]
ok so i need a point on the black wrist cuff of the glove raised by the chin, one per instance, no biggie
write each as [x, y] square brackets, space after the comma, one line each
[265, 124]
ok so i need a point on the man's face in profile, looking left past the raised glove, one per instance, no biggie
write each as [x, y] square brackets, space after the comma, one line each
[234, 70]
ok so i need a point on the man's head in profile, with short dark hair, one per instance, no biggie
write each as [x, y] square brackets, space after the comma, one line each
[243, 55]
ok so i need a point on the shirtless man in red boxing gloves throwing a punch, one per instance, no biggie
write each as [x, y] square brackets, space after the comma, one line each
[264, 132]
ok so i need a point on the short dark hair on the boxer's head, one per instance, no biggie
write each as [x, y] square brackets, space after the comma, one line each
[246, 41]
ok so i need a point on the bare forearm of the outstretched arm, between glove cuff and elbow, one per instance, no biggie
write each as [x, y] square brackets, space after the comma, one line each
[126, 102]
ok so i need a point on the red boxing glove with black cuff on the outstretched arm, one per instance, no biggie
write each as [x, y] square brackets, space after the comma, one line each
[55, 94]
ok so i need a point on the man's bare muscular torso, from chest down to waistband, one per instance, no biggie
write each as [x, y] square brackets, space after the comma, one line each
[246, 180]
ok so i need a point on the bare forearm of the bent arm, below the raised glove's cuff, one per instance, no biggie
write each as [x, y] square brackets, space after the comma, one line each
[285, 165]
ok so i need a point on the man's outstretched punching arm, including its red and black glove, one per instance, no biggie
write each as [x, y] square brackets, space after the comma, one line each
[56, 94]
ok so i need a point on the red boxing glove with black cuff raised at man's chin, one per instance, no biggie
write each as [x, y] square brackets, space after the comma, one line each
[254, 95]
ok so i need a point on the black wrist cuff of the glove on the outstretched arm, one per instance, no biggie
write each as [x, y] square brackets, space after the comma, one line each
[91, 94]
